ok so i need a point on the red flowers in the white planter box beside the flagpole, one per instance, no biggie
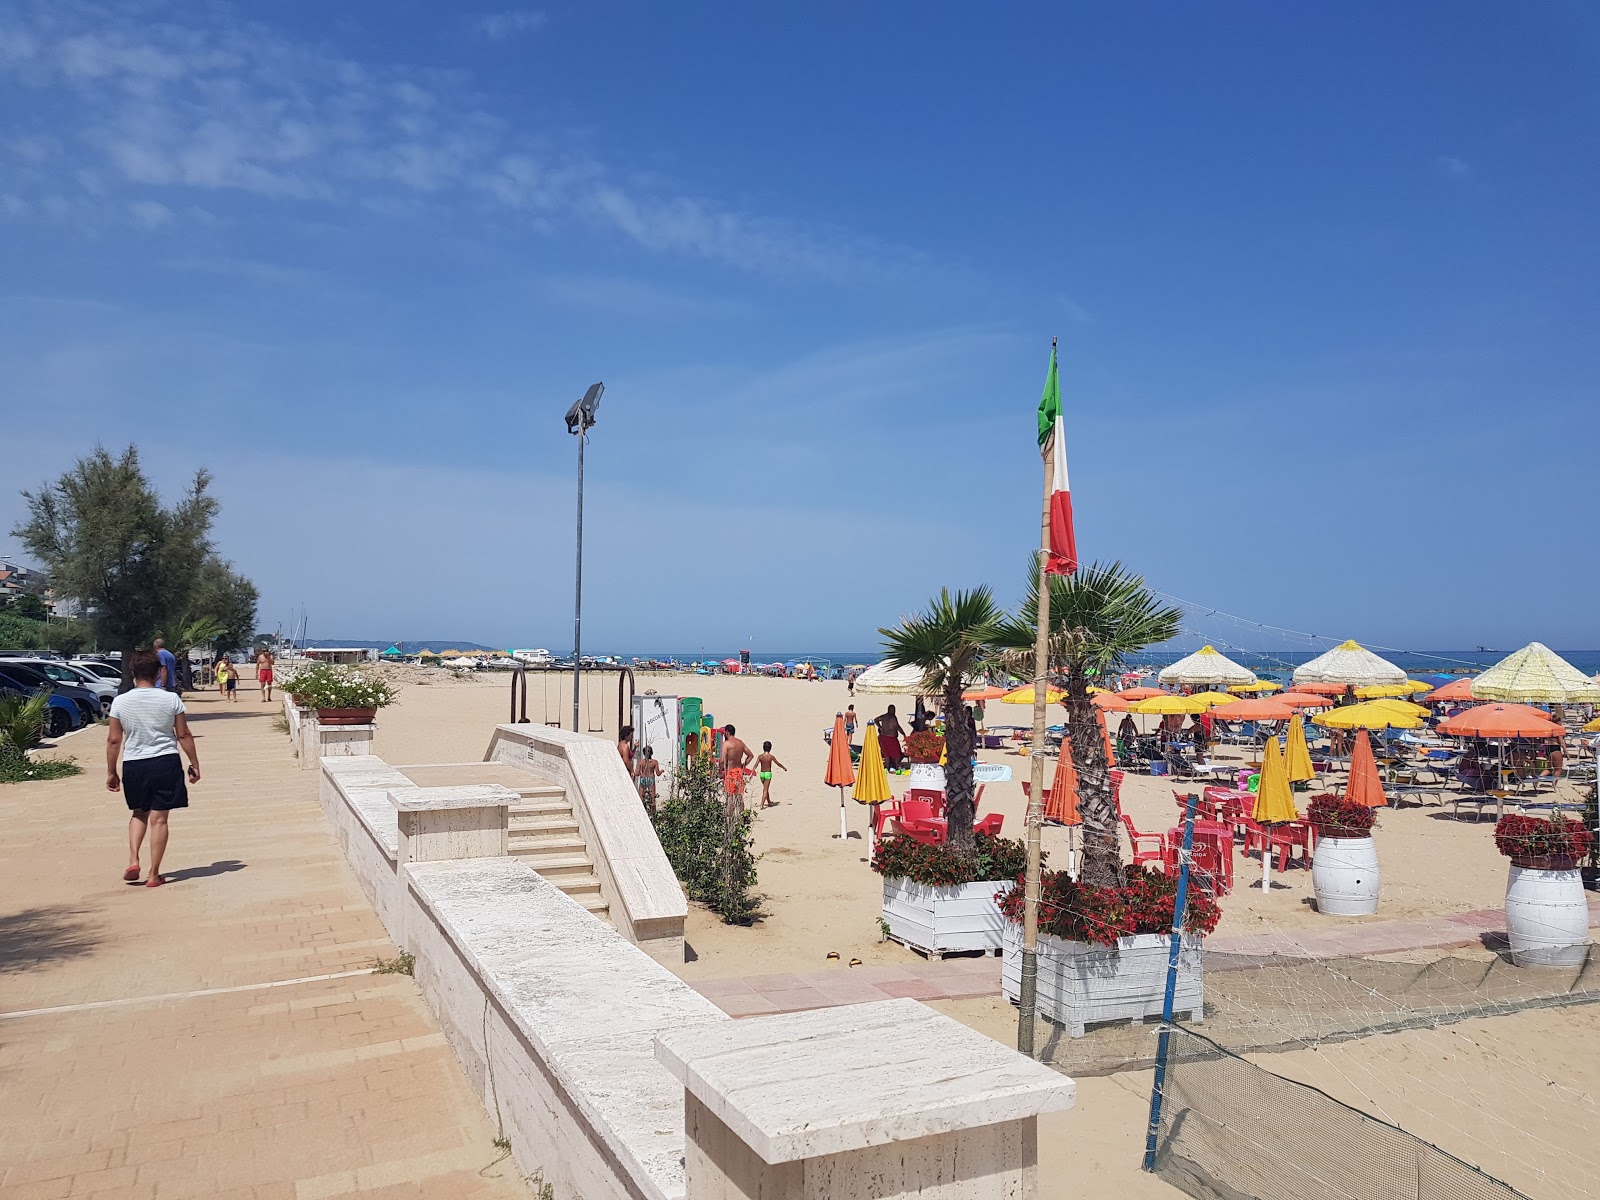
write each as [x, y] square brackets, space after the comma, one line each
[1081, 913]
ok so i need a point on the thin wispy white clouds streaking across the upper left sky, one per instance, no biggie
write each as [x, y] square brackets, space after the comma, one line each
[142, 113]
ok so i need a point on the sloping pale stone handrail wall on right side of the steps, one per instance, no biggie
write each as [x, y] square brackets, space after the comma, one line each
[647, 902]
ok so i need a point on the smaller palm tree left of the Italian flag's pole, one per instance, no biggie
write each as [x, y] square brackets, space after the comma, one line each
[951, 642]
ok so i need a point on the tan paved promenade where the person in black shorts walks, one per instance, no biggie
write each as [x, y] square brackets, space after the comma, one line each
[222, 1036]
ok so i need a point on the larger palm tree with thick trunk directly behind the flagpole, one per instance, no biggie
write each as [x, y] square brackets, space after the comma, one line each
[1098, 620]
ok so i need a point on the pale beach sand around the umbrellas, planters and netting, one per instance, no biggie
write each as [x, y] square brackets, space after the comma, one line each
[1500, 1092]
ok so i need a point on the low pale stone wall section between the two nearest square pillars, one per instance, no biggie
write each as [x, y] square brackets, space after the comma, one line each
[554, 1020]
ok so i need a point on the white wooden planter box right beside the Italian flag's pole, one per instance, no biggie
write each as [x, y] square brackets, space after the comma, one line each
[1081, 983]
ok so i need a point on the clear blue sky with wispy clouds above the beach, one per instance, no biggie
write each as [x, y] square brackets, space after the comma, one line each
[1326, 282]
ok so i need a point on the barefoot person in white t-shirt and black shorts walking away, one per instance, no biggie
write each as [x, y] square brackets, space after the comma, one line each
[148, 727]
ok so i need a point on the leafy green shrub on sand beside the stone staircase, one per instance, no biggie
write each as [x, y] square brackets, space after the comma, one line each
[708, 842]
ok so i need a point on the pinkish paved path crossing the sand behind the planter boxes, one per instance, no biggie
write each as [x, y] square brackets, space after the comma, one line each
[980, 977]
